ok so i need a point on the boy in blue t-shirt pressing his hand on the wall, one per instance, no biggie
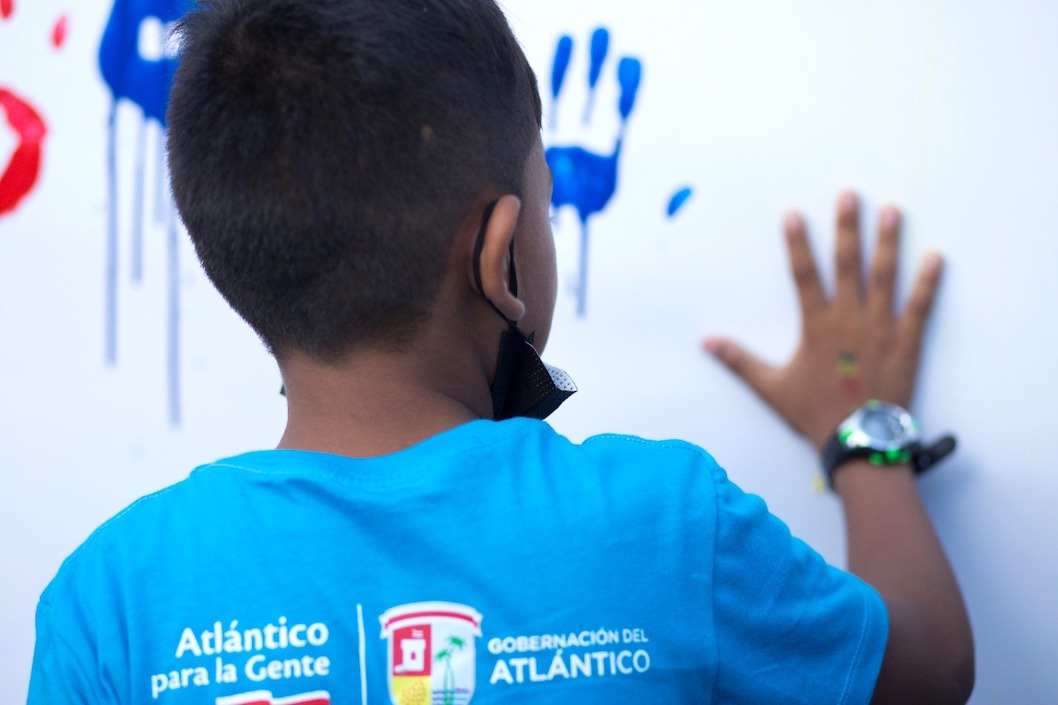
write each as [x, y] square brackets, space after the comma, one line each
[364, 183]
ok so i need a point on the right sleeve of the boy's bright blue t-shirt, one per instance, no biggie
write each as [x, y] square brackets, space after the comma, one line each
[790, 628]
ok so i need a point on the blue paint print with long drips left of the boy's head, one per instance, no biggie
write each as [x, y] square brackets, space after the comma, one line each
[144, 83]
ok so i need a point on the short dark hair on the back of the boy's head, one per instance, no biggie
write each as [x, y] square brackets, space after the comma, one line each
[323, 154]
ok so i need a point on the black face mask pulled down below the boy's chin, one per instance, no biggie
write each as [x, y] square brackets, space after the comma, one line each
[524, 385]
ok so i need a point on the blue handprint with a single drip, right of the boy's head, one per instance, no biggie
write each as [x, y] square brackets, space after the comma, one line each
[583, 179]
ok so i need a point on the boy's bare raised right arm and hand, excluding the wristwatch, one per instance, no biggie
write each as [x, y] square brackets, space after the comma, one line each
[853, 349]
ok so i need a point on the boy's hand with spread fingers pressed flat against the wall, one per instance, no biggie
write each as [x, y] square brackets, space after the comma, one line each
[854, 347]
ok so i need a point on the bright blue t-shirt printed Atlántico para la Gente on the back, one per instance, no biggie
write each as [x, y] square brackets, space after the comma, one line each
[495, 563]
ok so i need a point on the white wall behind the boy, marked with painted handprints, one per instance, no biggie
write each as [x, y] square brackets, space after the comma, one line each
[947, 110]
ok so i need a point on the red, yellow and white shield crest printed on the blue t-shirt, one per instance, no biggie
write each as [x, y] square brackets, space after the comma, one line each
[431, 653]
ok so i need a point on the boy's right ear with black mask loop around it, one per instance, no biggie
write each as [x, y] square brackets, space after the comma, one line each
[496, 259]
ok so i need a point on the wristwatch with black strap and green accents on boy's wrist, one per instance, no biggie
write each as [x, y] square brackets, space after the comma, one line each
[885, 435]
